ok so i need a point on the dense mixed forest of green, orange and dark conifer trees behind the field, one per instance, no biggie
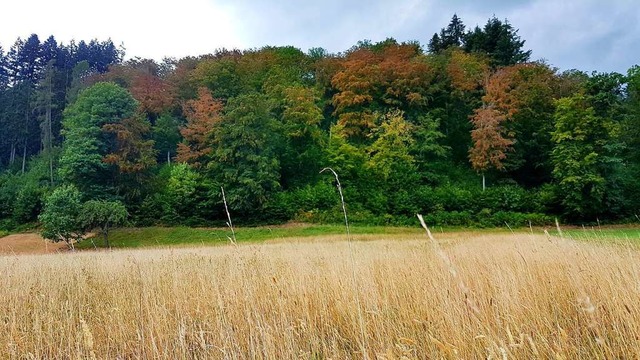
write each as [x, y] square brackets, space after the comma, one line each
[466, 129]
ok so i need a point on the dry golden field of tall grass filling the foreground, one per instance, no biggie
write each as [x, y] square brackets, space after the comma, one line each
[475, 296]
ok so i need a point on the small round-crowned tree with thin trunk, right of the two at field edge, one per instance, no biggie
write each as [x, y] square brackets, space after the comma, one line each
[104, 215]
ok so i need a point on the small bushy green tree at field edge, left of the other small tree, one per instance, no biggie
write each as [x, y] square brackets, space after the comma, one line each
[60, 217]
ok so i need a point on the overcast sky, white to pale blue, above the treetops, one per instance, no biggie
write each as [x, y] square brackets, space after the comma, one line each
[584, 34]
